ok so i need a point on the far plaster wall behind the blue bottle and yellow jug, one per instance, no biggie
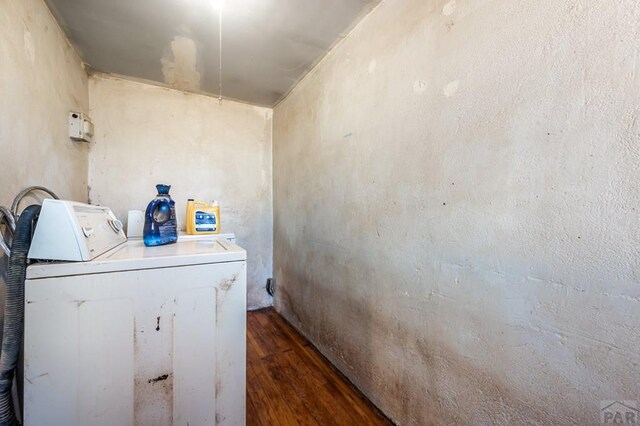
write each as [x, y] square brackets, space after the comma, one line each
[147, 135]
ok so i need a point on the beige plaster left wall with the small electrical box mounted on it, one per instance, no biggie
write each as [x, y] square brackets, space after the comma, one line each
[41, 80]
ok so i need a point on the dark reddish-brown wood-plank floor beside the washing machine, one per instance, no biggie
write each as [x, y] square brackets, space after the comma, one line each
[290, 383]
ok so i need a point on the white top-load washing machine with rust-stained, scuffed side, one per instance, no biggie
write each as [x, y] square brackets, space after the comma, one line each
[137, 335]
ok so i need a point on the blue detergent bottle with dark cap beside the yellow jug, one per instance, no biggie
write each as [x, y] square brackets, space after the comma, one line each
[160, 225]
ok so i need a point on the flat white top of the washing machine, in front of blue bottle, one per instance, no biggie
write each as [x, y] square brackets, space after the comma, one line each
[133, 255]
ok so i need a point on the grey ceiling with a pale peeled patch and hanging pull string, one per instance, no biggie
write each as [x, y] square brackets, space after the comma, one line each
[267, 45]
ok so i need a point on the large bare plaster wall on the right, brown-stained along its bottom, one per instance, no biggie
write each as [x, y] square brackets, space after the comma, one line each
[456, 209]
